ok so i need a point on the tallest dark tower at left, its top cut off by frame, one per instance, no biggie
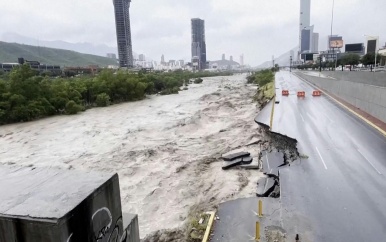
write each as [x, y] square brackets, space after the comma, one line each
[122, 24]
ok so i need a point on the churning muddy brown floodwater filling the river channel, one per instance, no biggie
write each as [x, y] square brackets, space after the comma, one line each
[166, 149]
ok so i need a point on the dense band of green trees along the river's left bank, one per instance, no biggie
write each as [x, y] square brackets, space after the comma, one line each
[25, 95]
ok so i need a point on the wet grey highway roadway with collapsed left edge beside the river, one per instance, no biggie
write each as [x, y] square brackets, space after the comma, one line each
[338, 192]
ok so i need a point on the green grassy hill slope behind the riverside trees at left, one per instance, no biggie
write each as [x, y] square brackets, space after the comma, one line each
[10, 52]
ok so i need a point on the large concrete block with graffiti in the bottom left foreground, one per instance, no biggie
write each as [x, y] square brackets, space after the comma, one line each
[47, 204]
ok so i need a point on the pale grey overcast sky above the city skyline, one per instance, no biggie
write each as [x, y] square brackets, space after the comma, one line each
[256, 28]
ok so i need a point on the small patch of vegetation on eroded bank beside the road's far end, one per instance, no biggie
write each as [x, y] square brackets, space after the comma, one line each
[265, 80]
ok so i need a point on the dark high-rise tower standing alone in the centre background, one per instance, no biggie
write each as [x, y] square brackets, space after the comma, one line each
[198, 43]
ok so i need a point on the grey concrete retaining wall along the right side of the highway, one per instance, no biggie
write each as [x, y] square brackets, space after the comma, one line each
[369, 98]
